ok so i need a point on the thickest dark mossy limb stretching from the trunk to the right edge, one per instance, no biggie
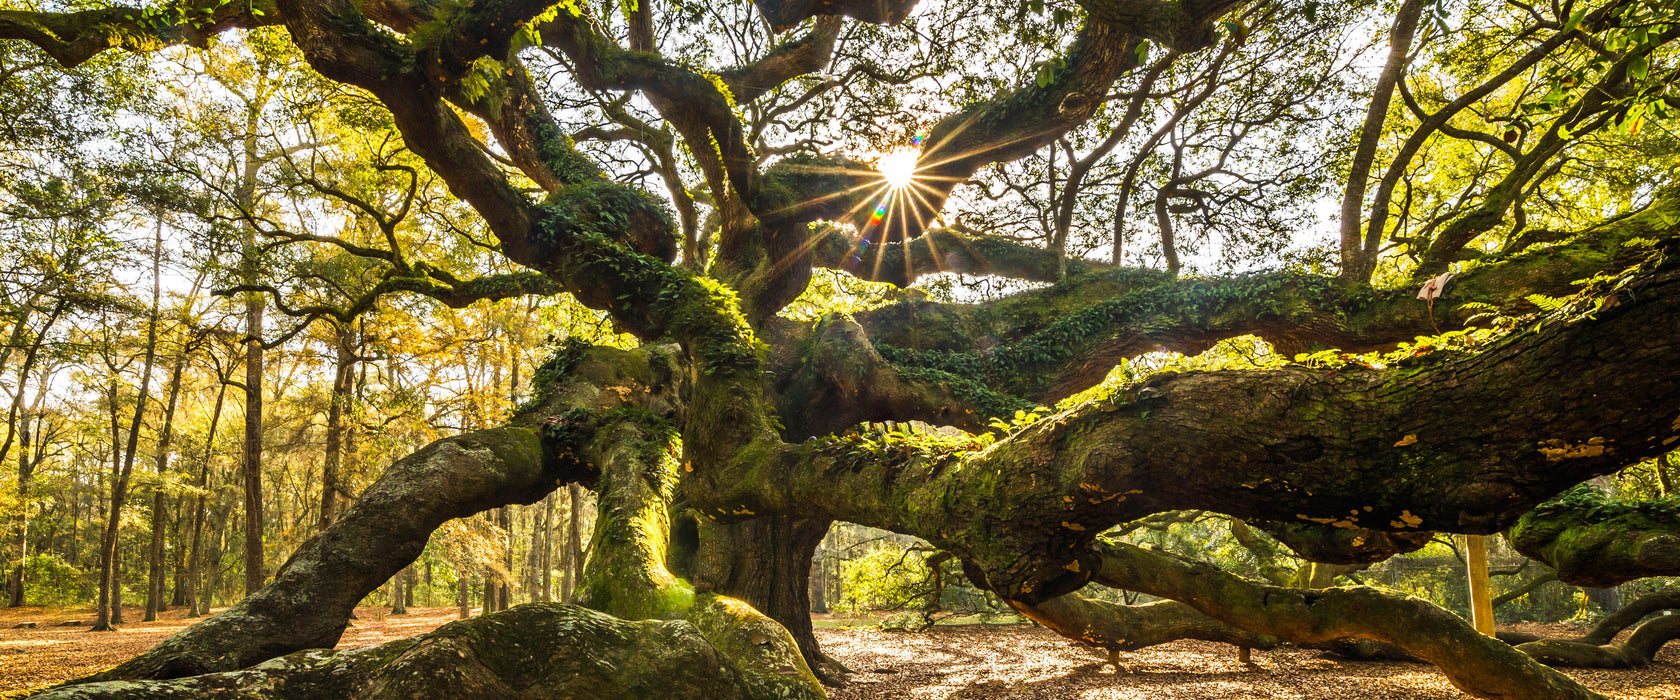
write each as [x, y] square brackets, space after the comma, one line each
[1449, 442]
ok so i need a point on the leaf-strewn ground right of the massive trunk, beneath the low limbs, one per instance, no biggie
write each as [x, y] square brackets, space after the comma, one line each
[977, 662]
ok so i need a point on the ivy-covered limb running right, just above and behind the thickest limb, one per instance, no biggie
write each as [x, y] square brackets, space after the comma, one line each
[1049, 343]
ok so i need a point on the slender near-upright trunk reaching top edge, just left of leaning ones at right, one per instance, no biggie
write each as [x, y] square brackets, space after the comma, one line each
[1358, 259]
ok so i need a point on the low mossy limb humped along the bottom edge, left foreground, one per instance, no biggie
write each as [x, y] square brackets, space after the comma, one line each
[538, 650]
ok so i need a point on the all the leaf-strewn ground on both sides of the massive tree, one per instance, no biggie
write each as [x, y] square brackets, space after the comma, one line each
[967, 662]
